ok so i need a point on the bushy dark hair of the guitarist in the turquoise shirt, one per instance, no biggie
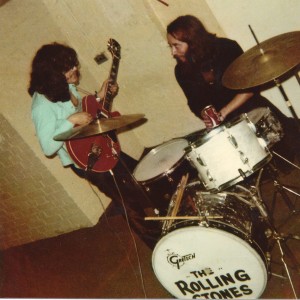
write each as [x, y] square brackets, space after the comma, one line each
[47, 74]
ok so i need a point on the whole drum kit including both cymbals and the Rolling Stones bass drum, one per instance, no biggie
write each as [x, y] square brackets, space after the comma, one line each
[216, 230]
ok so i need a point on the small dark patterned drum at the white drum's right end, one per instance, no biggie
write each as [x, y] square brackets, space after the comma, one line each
[268, 126]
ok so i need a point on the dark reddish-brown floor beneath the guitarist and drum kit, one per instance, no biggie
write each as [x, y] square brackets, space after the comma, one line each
[108, 261]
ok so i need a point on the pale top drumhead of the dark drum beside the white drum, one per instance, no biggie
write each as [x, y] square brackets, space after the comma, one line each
[160, 160]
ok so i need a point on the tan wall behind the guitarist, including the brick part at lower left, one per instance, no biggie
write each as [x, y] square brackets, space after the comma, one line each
[147, 85]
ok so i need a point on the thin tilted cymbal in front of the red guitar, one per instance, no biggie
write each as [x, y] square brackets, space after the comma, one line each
[98, 126]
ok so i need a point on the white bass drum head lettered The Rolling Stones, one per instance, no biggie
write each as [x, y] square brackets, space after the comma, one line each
[200, 262]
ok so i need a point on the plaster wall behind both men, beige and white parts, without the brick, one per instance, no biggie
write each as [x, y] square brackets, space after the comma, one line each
[146, 79]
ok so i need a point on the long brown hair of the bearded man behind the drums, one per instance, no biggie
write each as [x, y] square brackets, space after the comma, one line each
[190, 30]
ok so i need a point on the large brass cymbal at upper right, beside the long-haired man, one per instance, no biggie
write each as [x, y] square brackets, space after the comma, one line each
[265, 62]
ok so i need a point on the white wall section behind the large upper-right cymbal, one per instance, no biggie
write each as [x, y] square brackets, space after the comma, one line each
[267, 18]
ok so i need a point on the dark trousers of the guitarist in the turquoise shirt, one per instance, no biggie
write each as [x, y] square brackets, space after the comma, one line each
[136, 203]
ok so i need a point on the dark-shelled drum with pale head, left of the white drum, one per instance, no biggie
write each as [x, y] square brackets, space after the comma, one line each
[160, 171]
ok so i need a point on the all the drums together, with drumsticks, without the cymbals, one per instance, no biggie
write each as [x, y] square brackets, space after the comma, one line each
[214, 245]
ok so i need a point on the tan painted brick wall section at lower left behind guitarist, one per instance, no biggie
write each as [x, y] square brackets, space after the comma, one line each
[33, 204]
